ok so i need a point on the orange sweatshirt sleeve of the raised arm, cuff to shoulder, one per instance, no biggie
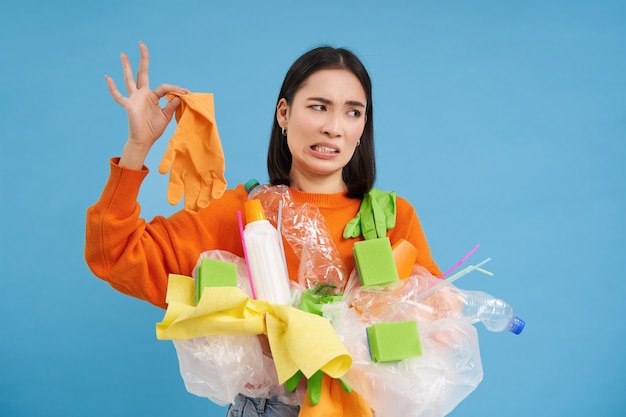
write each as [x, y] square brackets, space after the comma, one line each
[136, 257]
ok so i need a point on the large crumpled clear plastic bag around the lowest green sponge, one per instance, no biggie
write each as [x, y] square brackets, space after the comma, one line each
[433, 384]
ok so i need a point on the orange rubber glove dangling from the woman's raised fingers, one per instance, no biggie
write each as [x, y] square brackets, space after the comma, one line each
[194, 154]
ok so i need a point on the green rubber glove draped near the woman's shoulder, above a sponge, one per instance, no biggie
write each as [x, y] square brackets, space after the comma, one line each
[376, 215]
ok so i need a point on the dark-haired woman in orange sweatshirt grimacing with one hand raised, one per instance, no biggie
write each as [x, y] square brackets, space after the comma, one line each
[321, 146]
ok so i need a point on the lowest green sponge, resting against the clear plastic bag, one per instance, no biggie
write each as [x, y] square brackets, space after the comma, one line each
[391, 342]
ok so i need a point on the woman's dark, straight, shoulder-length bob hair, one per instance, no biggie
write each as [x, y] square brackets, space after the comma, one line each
[360, 172]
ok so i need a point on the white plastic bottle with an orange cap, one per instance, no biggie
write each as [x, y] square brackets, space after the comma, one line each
[265, 260]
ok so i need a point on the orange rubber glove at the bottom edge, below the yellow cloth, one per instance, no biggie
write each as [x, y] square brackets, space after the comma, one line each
[335, 402]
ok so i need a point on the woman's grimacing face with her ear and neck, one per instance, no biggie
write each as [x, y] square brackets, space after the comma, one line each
[324, 123]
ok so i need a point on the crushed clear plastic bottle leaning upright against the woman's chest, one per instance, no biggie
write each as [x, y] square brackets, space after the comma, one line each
[305, 230]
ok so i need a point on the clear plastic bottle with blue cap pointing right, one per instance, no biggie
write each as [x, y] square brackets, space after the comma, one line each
[493, 312]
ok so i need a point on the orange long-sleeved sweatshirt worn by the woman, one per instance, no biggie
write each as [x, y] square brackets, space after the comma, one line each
[136, 257]
